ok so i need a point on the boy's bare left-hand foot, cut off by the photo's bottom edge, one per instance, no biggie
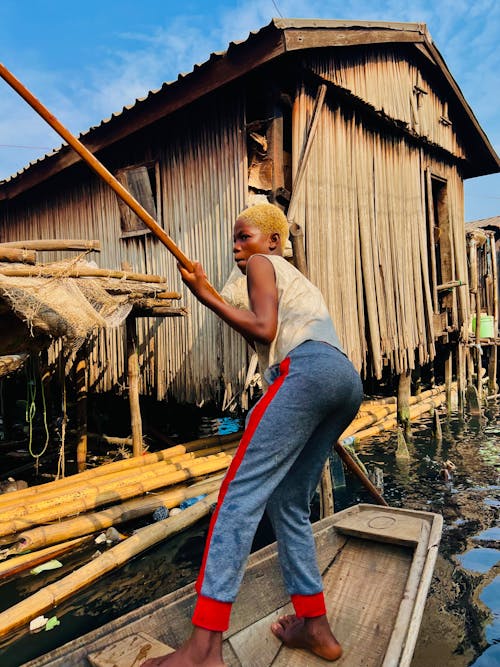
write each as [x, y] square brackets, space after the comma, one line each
[202, 649]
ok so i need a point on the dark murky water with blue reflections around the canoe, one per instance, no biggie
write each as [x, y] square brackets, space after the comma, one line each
[461, 624]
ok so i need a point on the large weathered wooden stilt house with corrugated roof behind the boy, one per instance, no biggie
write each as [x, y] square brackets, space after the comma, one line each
[358, 130]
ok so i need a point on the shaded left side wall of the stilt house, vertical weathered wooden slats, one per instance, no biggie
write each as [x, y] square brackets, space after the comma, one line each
[203, 181]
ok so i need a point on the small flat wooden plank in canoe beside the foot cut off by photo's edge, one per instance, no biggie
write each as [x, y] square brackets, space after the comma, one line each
[130, 651]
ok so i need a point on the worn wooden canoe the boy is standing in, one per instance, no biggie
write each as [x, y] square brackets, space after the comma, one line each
[377, 565]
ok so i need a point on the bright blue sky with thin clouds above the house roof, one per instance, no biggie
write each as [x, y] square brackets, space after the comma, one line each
[86, 60]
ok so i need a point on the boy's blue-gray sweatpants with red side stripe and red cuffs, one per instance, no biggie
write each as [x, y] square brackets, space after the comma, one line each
[313, 396]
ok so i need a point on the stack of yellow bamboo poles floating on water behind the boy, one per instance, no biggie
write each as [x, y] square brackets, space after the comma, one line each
[55, 518]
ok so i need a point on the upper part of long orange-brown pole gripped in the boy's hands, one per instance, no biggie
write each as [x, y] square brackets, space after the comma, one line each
[101, 170]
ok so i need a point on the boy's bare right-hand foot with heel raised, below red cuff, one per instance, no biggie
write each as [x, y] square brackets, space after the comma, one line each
[313, 634]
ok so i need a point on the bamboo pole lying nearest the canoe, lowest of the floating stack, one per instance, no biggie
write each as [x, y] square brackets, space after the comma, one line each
[55, 593]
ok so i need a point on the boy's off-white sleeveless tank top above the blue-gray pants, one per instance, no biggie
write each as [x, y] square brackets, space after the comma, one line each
[302, 312]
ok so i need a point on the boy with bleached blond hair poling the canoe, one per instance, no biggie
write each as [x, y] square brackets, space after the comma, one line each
[313, 394]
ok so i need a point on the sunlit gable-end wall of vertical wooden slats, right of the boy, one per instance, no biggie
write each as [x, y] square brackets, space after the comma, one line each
[363, 209]
